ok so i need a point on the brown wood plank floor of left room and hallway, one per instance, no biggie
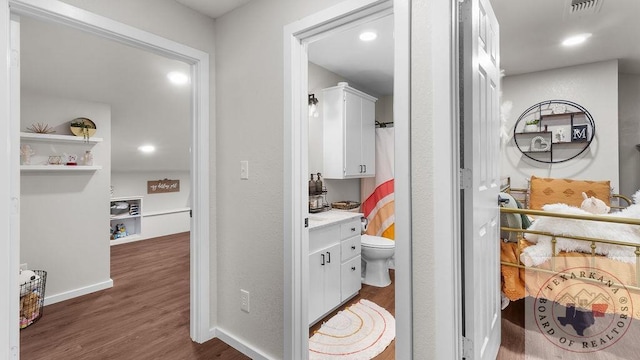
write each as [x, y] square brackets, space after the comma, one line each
[144, 316]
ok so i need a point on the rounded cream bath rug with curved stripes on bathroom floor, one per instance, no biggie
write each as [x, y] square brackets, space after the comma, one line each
[361, 331]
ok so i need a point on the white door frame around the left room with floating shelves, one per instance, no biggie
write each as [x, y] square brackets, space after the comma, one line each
[62, 13]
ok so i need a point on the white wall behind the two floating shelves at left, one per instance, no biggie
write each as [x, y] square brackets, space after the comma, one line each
[64, 217]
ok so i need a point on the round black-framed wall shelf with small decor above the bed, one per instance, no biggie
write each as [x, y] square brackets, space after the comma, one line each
[554, 131]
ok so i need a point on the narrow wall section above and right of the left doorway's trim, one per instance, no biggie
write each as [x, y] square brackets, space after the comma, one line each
[169, 19]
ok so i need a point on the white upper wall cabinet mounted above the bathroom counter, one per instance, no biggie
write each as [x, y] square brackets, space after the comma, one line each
[348, 133]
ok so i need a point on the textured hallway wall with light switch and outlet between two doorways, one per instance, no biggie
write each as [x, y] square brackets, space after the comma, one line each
[249, 68]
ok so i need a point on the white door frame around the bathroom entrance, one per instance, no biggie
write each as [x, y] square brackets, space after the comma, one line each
[296, 267]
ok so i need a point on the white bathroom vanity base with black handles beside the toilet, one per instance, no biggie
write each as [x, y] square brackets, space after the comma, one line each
[334, 261]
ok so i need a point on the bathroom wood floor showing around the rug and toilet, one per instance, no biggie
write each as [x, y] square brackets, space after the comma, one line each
[384, 297]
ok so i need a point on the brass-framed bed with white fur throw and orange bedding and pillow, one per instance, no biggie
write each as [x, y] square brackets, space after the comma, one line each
[574, 251]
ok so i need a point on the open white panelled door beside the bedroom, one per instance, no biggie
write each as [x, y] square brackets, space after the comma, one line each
[480, 159]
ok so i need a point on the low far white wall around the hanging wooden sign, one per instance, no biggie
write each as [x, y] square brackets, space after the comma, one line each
[164, 213]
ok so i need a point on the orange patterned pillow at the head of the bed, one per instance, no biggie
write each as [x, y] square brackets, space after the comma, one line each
[568, 191]
